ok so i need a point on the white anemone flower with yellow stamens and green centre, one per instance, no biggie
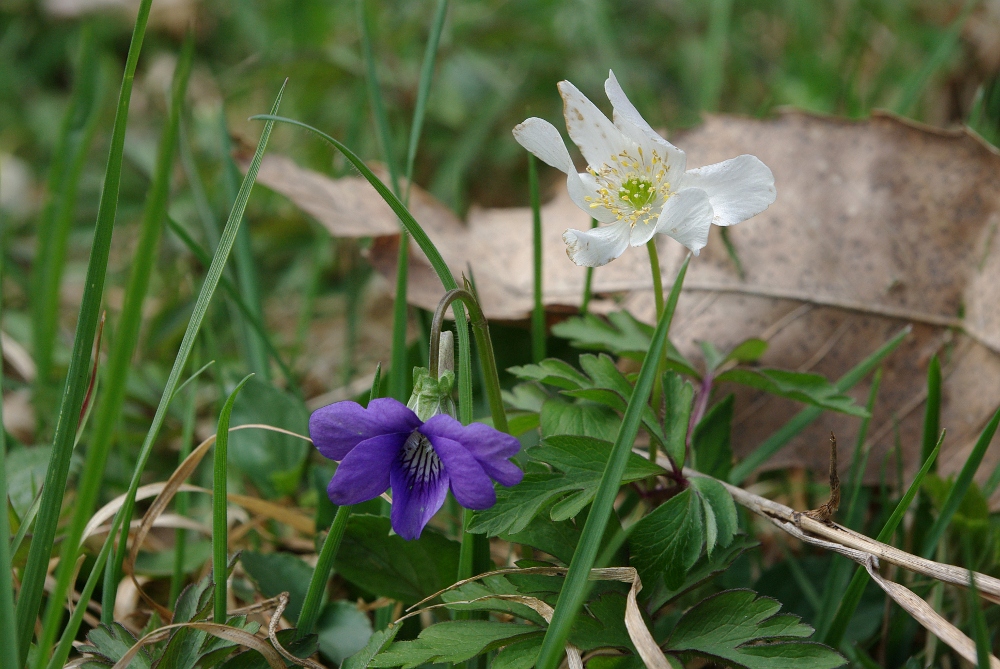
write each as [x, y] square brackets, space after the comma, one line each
[635, 180]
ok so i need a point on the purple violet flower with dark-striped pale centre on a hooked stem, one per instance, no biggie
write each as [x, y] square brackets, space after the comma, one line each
[388, 445]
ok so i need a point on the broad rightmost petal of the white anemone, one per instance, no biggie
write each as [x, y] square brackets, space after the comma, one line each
[739, 188]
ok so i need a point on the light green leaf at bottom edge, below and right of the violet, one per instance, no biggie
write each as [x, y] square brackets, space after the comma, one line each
[453, 641]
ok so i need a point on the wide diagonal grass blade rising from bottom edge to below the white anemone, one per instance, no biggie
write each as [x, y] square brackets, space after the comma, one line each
[574, 588]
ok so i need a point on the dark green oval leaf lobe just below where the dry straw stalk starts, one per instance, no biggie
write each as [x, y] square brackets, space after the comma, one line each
[667, 542]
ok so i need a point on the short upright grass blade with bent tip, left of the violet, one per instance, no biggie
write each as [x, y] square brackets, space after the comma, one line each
[220, 505]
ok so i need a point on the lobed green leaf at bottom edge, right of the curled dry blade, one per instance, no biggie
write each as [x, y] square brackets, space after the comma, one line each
[732, 626]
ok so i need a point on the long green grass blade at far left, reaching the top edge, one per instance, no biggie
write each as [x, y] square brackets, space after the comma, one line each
[78, 375]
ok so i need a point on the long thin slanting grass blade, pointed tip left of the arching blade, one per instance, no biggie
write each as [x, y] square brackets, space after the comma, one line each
[124, 516]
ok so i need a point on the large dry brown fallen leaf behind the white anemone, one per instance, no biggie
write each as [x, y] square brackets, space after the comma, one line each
[877, 224]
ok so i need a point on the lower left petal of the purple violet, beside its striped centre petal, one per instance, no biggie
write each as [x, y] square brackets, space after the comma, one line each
[364, 472]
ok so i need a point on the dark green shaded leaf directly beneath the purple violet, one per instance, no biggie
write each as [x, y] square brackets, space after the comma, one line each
[392, 567]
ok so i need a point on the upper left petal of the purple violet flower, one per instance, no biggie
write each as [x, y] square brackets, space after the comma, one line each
[337, 428]
